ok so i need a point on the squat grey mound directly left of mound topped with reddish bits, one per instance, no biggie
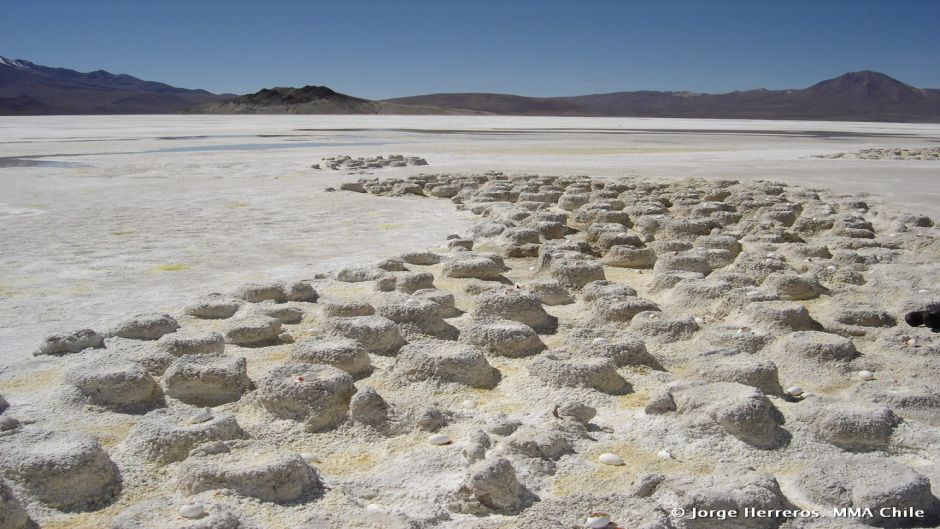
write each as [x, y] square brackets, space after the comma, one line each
[207, 380]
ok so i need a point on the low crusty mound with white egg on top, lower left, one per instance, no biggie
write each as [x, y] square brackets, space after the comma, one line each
[164, 436]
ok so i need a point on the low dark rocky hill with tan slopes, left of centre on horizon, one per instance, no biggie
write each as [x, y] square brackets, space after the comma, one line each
[314, 100]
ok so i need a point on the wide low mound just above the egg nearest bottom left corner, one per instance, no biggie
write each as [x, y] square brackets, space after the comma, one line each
[249, 468]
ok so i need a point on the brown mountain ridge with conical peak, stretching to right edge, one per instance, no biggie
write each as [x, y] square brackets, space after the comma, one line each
[857, 96]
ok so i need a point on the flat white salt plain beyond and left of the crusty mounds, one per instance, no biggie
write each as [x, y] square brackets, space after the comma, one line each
[141, 213]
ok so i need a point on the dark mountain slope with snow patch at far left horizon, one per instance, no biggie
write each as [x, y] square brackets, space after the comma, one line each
[27, 88]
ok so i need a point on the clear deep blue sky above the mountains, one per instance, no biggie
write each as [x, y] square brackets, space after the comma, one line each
[389, 48]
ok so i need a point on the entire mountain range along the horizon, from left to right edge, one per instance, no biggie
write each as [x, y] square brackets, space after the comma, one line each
[30, 89]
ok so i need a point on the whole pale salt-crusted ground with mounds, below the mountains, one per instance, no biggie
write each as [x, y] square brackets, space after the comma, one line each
[255, 322]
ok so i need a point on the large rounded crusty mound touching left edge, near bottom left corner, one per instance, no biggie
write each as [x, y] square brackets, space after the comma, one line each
[64, 470]
